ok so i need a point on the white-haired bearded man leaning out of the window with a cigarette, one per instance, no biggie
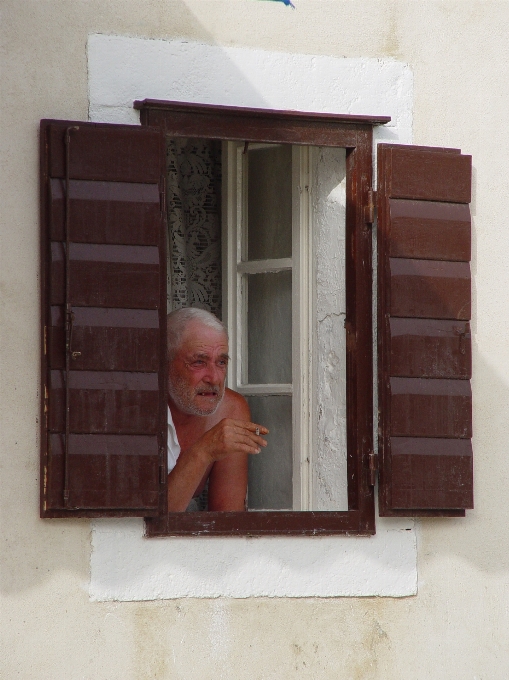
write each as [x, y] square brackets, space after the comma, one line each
[209, 431]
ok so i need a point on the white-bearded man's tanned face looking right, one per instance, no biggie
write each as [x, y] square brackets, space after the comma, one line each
[197, 371]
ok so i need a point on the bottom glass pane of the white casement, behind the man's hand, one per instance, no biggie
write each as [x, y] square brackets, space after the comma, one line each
[270, 472]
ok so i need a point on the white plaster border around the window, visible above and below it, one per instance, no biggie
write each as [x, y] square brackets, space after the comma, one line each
[125, 565]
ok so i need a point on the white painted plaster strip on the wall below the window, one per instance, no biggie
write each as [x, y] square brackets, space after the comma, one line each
[126, 566]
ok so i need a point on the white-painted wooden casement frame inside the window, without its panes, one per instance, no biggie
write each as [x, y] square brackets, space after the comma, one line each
[303, 301]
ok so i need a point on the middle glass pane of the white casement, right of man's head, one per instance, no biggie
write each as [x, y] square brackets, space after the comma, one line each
[269, 327]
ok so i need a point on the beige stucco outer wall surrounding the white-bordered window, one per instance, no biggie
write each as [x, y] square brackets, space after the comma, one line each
[456, 627]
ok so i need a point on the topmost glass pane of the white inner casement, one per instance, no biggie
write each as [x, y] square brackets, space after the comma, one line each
[269, 203]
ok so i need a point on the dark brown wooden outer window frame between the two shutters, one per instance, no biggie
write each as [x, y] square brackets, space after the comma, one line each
[355, 134]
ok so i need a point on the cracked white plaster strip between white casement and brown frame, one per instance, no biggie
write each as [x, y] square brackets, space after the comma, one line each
[329, 467]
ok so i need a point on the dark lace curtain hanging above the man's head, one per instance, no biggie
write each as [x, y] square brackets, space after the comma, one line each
[194, 224]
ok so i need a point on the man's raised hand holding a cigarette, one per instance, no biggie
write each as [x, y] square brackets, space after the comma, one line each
[231, 436]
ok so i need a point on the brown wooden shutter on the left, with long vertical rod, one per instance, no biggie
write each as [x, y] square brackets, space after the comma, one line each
[103, 261]
